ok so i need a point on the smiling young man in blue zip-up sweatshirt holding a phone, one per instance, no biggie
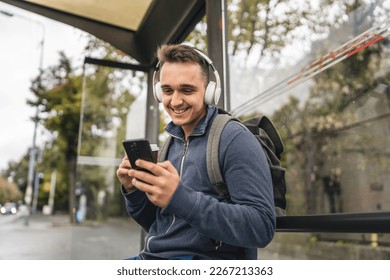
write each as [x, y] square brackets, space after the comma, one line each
[176, 204]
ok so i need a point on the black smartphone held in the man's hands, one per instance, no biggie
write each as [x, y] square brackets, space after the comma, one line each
[138, 149]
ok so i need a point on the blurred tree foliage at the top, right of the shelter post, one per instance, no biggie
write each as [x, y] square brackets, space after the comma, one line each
[265, 27]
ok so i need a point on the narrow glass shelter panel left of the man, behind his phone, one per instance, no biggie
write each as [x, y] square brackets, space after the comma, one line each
[107, 110]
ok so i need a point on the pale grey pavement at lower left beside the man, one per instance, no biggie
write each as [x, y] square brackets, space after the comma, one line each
[54, 238]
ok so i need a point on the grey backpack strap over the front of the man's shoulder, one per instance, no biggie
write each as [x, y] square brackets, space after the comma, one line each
[212, 153]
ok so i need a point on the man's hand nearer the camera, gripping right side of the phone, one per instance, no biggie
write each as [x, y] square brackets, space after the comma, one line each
[159, 186]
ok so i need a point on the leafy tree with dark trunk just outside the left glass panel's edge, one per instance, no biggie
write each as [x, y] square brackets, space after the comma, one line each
[58, 96]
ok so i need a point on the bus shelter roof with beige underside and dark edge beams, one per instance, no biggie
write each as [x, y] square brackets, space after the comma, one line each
[136, 27]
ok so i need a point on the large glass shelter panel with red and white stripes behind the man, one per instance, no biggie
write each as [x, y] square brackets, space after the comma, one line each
[320, 70]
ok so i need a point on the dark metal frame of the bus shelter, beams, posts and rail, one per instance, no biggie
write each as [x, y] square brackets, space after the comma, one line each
[179, 18]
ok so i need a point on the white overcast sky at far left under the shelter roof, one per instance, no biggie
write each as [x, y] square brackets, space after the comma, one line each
[20, 53]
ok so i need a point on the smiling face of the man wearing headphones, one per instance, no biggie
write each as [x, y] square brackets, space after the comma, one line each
[183, 88]
